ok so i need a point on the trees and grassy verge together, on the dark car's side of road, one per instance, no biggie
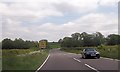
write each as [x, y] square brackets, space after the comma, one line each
[107, 46]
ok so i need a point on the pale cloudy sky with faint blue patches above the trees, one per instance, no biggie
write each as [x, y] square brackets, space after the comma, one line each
[55, 19]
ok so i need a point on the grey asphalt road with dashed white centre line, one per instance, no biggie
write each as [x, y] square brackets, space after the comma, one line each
[59, 60]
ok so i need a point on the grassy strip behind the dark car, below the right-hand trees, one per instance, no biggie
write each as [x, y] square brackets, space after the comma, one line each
[105, 51]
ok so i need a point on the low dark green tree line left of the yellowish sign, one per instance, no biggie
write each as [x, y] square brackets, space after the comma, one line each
[18, 44]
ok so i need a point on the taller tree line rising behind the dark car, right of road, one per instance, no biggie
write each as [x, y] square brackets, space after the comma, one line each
[85, 39]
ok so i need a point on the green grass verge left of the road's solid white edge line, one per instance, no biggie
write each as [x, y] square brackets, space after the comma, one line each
[10, 60]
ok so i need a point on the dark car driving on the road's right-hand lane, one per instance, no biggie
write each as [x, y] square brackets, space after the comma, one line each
[90, 53]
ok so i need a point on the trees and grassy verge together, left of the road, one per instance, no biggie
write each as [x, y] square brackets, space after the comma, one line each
[22, 55]
